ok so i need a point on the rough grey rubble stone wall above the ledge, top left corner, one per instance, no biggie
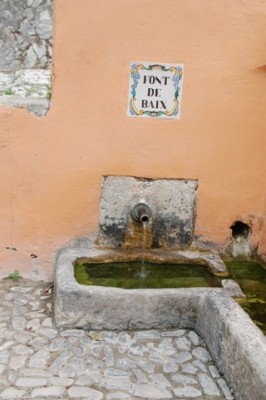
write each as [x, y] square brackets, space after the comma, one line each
[21, 29]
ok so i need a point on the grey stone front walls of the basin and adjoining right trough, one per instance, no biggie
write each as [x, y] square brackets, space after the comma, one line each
[236, 344]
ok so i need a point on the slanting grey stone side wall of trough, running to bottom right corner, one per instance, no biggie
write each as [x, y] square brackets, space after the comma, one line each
[236, 344]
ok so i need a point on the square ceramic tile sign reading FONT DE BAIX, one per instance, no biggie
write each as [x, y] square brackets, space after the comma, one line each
[155, 90]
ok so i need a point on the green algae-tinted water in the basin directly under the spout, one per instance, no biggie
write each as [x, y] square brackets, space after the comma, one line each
[137, 275]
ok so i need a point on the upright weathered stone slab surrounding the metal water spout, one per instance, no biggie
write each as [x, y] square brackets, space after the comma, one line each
[171, 202]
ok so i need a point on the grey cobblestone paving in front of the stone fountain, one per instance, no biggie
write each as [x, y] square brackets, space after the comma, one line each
[39, 361]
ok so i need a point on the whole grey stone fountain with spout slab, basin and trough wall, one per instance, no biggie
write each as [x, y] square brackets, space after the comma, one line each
[153, 220]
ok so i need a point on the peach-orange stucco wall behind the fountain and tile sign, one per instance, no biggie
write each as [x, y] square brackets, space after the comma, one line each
[51, 167]
